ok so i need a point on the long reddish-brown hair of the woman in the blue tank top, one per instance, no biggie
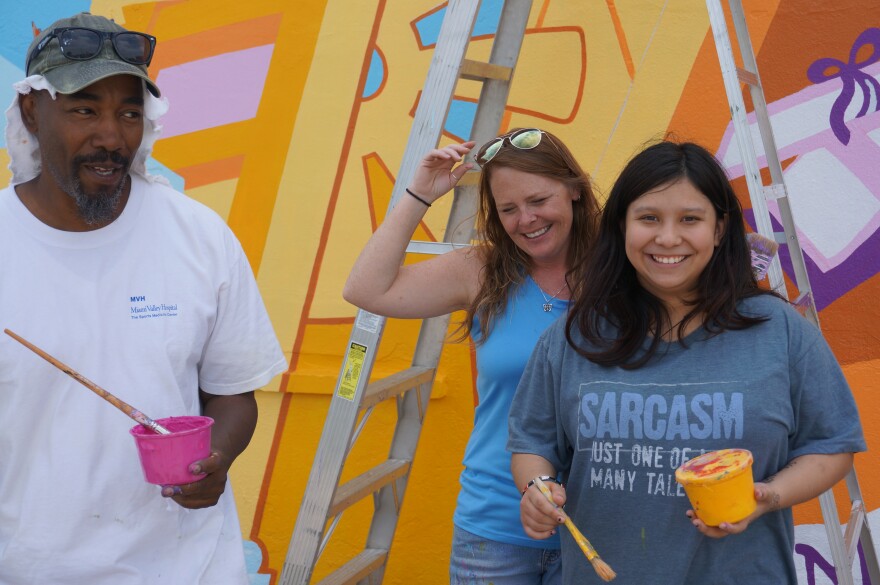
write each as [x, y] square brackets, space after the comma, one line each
[506, 266]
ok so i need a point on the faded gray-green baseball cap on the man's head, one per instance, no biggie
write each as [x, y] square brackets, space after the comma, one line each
[68, 75]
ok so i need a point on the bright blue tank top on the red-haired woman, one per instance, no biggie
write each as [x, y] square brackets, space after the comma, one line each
[488, 502]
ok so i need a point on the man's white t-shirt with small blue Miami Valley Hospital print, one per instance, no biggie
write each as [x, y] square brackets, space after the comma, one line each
[151, 307]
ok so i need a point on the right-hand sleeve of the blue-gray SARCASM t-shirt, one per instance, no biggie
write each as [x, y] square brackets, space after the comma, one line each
[827, 420]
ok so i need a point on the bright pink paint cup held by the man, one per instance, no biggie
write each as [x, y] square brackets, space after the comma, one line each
[165, 459]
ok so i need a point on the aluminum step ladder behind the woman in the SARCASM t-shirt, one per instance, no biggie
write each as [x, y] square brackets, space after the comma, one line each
[843, 546]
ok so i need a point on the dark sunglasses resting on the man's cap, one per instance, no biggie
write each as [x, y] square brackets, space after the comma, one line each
[82, 44]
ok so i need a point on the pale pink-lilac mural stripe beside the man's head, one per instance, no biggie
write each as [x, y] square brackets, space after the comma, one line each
[230, 87]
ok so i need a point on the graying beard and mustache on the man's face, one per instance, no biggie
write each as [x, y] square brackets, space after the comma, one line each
[98, 207]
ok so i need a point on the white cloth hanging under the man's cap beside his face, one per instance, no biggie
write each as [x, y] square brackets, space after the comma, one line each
[24, 149]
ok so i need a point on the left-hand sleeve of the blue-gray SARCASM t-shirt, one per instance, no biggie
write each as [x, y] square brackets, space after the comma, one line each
[534, 425]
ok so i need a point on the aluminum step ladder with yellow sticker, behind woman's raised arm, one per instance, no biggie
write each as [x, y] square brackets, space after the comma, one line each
[325, 499]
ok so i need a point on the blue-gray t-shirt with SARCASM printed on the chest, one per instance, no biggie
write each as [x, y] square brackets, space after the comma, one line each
[618, 435]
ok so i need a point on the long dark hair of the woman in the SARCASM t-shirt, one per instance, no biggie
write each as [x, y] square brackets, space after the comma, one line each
[612, 292]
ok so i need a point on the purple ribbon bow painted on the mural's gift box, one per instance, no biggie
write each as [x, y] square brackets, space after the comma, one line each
[850, 74]
